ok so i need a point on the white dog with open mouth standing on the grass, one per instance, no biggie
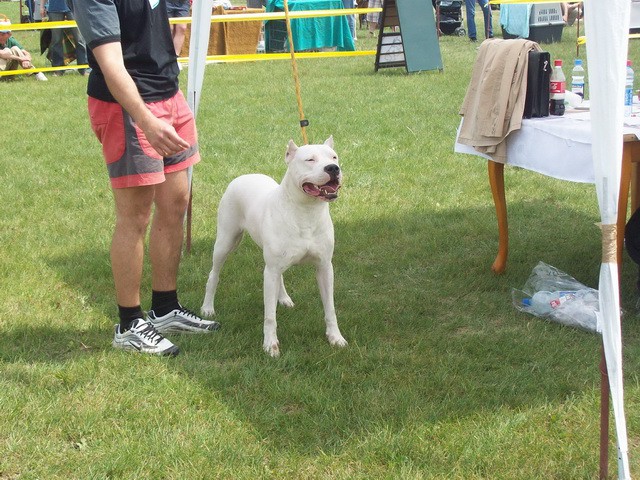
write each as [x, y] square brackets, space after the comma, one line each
[292, 225]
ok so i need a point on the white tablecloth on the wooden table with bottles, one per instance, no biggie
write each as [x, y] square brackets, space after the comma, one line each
[559, 147]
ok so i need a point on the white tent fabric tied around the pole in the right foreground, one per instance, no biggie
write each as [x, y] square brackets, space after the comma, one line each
[607, 29]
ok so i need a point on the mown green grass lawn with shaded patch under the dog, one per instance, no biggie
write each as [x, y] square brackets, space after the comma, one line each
[443, 378]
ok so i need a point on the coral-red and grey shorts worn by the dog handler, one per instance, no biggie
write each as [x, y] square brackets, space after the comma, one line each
[131, 160]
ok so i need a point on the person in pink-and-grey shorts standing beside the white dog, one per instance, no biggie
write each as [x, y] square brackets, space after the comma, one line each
[149, 140]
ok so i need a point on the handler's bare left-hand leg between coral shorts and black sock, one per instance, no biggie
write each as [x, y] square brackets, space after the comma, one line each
[133, 210]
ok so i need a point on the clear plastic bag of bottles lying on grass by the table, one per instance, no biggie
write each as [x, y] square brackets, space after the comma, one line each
[552, 294]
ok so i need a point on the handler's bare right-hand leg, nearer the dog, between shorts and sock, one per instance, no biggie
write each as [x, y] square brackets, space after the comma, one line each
[165, 244]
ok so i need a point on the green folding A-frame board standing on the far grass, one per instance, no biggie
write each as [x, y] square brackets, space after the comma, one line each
[416, 44]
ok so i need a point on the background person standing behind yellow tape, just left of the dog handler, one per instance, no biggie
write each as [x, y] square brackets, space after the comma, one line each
[56, 11]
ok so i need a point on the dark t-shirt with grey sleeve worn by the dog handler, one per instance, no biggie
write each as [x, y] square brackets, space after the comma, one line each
[142, 27]
